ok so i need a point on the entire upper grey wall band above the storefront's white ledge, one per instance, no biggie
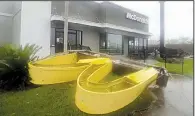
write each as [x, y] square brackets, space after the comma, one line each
[105, 12]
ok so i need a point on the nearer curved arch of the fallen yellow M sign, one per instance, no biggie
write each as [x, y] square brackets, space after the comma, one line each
[100, 98]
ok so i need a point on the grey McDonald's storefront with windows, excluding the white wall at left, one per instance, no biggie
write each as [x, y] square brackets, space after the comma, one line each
[104, 27]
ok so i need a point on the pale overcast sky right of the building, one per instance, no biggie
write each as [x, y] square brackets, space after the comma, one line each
[178, 16]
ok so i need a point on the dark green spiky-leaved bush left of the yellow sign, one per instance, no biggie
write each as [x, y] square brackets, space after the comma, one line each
[14, 65]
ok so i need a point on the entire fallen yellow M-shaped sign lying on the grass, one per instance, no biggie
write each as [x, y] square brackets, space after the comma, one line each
[93, 96]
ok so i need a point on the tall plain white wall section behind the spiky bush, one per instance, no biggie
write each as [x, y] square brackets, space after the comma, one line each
[35, 25]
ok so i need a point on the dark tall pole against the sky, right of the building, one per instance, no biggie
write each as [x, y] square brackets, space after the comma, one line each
[162, 32]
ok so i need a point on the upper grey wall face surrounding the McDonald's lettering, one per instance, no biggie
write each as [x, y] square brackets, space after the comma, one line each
[117, 15]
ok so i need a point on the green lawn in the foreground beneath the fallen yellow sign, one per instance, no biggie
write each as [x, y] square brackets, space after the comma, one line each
[55, 100]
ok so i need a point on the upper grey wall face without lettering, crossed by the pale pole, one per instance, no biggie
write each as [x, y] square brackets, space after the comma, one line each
[85, 10]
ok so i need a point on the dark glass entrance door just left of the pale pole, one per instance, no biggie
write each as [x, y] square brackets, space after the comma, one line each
[59, 41]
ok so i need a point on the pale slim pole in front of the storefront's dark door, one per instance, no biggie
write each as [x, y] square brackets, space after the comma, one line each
[66, 26]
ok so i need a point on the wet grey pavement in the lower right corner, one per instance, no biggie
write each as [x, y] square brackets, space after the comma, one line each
[174, 100]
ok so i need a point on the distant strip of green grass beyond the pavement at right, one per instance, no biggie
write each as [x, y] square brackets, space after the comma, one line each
[177, 68]
